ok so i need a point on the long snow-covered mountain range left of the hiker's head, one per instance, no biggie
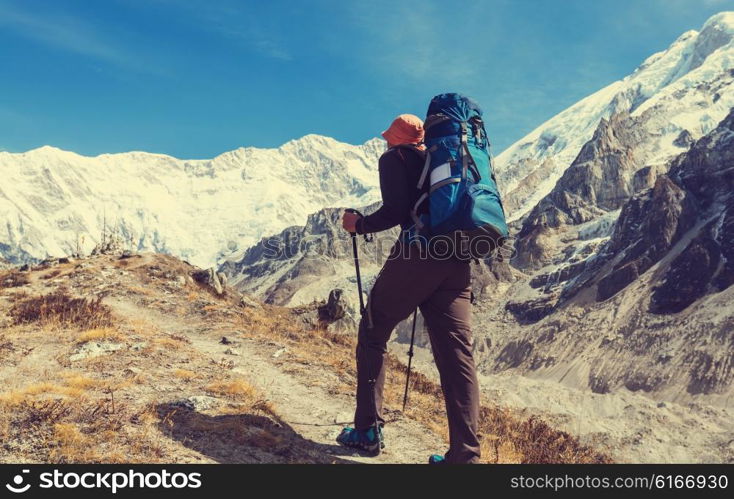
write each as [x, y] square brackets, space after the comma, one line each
[199, 210]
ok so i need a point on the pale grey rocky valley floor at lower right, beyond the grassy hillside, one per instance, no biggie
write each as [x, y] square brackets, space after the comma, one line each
[629, 426]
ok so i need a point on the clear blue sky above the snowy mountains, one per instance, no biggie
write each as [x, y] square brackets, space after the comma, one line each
[195, 78]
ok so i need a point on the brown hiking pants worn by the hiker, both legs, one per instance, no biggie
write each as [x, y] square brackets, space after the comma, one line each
[441, 288]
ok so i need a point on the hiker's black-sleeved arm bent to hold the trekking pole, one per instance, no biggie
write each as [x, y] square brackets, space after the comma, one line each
[395, 199]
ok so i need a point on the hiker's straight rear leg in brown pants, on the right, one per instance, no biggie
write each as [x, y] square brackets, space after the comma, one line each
[448, 314]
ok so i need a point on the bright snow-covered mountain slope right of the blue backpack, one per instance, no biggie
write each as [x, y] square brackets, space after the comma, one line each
[675, 96]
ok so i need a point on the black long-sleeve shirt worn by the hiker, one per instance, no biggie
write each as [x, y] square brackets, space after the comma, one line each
[400, 168]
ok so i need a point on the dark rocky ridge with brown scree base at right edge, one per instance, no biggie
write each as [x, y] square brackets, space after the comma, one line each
[649, 308]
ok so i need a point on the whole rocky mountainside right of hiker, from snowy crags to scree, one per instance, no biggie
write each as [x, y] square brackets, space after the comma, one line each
[624, 264]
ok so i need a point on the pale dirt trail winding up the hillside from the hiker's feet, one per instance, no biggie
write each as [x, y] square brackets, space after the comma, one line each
[311, 411]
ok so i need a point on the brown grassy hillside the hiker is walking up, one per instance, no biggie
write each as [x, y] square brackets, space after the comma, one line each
[138, 359]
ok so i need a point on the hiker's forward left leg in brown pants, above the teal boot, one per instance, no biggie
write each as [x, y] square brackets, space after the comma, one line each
[402, 284]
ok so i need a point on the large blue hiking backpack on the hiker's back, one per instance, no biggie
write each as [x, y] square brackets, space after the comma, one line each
[457, 180]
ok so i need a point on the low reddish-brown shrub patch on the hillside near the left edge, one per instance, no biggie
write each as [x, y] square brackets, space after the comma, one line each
[60, 308]
